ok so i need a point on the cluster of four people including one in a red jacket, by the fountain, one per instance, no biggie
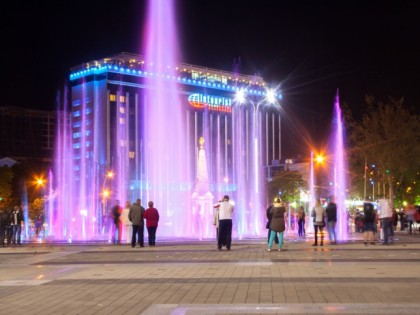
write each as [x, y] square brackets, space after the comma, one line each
[132, 217]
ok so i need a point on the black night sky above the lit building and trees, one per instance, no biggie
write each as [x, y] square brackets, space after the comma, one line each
[311, 48]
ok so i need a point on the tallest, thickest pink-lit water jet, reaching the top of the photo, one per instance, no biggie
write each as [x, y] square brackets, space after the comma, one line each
[166, 163]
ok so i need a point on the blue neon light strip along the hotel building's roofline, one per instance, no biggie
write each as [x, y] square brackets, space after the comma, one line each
[145, 74]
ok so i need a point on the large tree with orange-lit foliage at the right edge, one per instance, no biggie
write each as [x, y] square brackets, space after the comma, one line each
[387, 140]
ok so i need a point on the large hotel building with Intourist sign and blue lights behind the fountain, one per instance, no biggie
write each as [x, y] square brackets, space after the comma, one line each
[107, 101]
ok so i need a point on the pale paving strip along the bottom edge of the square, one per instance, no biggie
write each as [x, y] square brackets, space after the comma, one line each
[301, 308]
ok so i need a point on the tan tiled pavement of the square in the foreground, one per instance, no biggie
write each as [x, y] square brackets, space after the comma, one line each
[190, 277]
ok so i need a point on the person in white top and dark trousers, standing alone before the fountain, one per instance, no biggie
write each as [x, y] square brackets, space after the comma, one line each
[225, 223]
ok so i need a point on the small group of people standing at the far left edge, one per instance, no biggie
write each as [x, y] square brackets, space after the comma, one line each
[11, 226]
